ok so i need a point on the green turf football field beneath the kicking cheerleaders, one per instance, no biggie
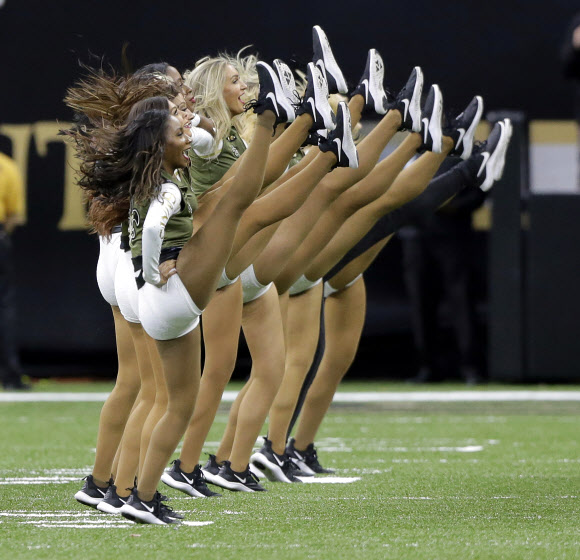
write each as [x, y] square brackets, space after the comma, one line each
[433, 480]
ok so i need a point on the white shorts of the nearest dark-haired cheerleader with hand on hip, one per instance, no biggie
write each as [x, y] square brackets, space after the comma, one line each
[167, 312]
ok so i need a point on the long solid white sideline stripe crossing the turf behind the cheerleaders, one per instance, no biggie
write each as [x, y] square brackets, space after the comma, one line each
[343, 397]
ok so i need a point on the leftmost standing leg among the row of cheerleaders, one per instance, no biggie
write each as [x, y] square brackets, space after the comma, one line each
[117, 407]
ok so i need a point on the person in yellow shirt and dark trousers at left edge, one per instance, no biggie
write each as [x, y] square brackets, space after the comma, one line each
[11, 215]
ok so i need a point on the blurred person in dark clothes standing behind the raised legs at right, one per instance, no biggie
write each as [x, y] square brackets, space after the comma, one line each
[436, 259]
